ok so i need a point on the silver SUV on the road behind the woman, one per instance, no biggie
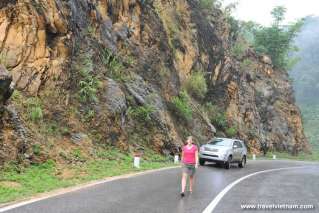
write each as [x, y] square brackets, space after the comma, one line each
[224, 151]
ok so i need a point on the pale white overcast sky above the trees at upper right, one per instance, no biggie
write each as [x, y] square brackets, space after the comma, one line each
[259, 10]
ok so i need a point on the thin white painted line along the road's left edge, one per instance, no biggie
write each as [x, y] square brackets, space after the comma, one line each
[76, 188]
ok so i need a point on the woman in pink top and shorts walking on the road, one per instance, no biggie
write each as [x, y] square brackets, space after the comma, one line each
[189, 164]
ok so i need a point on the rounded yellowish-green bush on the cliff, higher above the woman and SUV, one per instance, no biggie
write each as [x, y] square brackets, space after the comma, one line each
[196, 85]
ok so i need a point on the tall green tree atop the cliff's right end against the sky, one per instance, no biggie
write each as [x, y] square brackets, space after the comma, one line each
[277, 40]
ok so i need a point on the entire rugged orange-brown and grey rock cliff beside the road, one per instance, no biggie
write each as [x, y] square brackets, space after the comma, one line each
[87, 71]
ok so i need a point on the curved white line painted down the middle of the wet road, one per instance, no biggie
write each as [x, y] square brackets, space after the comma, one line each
[210, 208]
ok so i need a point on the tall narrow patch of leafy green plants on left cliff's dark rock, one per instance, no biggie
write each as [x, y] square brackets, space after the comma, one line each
[89, 83]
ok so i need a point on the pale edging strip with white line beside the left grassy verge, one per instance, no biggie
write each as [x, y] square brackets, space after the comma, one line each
[46, 195]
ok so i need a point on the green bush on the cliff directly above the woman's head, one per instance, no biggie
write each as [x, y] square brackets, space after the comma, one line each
[180, 106]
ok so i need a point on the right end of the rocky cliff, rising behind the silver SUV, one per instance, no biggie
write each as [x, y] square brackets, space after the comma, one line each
[261, 102]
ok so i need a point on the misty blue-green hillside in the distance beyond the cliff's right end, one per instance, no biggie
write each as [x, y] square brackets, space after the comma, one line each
[306, 76]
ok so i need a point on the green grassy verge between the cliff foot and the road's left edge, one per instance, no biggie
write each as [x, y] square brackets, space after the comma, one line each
[17, 182]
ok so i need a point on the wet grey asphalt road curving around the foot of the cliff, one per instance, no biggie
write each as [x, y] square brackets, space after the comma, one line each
[159, 191]
